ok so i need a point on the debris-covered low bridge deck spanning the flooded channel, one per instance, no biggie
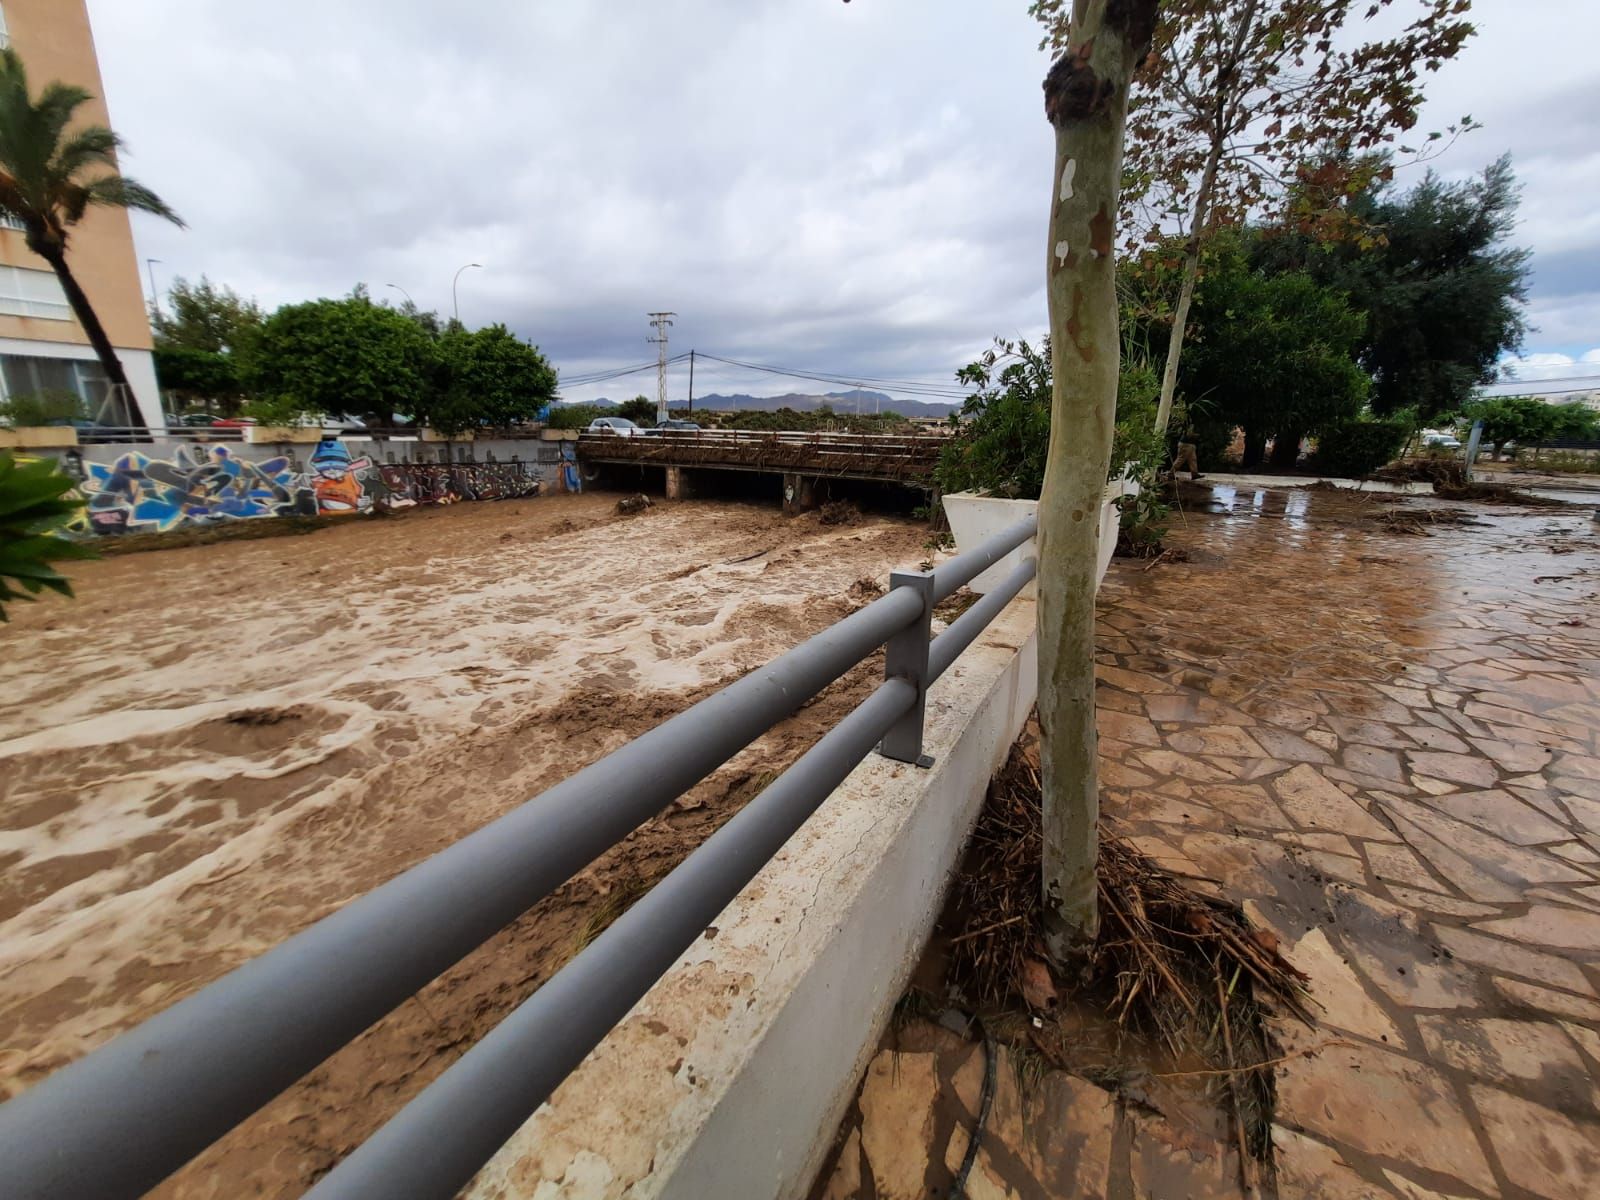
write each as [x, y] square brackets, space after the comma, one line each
[870, 457]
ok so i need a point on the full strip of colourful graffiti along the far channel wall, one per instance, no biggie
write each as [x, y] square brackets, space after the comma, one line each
[207, 484]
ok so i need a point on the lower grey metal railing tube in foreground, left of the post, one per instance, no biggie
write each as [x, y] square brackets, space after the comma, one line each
[444, 1137]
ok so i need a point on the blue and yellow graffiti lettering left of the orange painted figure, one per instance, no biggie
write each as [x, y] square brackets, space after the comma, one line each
[198, 487]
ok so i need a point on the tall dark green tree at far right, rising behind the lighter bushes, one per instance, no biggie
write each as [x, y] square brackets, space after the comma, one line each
[1441, 286]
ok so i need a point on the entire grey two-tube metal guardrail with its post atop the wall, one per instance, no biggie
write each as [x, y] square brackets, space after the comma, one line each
[124, 1118]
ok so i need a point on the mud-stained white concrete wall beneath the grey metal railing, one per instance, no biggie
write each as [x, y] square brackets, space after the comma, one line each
[729, 1079]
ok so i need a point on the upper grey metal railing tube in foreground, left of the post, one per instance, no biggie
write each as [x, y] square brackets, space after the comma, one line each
[132, 1113]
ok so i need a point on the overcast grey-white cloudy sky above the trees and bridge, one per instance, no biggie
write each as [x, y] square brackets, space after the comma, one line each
[858, 190]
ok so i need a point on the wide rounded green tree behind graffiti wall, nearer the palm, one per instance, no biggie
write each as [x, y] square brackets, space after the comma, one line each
[337, 358]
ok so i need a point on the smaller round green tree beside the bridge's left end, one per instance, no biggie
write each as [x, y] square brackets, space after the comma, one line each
[490, 378]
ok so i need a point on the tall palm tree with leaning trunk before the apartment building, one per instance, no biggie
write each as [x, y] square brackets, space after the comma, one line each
[50, 177]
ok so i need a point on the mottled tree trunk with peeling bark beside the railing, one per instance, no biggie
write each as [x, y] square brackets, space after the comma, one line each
[1087, 103]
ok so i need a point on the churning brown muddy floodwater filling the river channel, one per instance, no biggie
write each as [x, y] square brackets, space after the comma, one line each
[215, 746]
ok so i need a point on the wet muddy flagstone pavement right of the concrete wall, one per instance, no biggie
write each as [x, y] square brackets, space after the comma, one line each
[1388, 750]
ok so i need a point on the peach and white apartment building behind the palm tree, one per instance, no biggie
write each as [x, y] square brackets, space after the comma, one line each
[42, 346]
